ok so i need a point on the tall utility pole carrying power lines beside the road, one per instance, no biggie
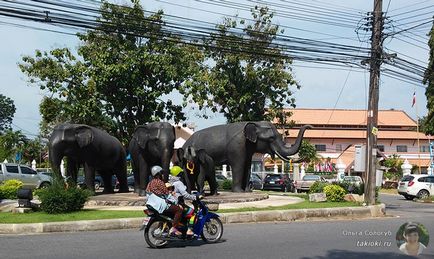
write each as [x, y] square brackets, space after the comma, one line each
[372, 120]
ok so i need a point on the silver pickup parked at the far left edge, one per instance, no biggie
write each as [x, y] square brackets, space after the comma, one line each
[30, 178]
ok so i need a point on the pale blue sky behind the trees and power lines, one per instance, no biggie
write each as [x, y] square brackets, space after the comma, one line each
[321, 86]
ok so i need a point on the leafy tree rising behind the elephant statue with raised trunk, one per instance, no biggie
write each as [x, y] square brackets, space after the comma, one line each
[247, 72]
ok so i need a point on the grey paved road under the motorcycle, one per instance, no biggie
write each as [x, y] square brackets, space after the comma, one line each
[374, 238]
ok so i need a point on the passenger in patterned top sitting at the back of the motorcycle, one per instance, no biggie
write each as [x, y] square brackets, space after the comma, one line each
[158, 187]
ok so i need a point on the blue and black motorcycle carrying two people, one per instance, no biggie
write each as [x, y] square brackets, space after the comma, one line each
[207, 226]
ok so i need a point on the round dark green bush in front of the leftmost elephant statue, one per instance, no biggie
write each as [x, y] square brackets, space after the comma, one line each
[59, 199]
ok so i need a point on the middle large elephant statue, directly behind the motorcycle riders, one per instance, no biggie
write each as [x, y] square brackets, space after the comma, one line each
[151, 144]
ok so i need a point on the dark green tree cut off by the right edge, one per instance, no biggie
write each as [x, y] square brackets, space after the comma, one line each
[428, 125]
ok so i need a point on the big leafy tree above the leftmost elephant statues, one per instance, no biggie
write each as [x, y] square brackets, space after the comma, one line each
[124, 69]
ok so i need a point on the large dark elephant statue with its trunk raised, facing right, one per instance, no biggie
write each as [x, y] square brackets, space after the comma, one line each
[235, 144]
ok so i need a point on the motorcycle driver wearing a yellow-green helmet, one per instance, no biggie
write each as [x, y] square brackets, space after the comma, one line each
[175, 179]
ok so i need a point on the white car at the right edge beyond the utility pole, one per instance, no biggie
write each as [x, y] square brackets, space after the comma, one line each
[416, 185]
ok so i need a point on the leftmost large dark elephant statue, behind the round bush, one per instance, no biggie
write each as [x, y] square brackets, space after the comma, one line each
[95, 149]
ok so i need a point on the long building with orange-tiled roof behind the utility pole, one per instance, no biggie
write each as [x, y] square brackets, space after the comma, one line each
[337, 132]
